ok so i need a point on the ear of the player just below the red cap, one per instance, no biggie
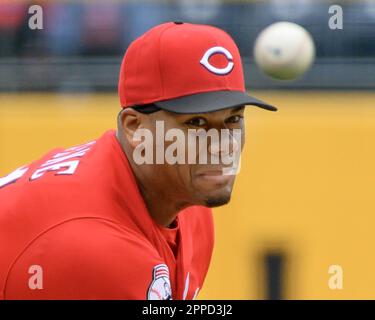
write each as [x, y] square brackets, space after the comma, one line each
[130, 121]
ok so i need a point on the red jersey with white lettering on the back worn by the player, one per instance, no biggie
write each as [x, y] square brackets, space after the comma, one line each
[73, 225]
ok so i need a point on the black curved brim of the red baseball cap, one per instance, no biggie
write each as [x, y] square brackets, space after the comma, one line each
[211, 101]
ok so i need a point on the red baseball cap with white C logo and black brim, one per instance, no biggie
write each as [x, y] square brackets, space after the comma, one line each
[184, 68]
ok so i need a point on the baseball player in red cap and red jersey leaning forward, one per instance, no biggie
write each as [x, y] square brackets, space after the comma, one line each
[90, 222]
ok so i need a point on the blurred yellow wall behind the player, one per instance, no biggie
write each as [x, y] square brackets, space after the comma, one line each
[305, 187]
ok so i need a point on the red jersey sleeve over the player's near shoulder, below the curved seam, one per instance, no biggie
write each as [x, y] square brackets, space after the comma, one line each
[84, 259]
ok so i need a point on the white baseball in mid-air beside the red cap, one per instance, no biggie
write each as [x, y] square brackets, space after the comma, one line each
[284, 50]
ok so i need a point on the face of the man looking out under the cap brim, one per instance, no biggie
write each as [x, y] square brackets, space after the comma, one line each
[198, 183]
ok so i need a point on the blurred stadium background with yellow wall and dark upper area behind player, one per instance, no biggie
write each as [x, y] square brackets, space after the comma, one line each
[304, 200]
